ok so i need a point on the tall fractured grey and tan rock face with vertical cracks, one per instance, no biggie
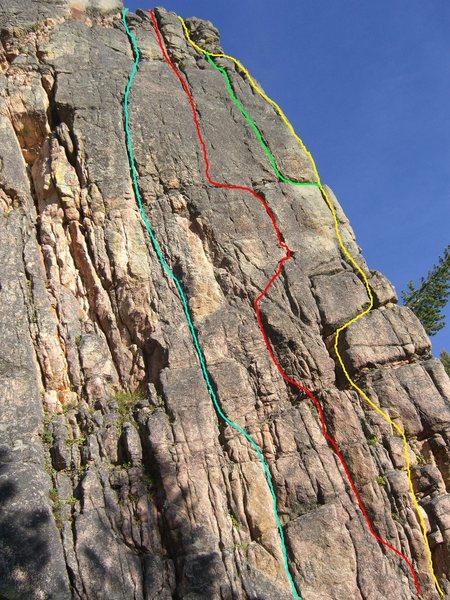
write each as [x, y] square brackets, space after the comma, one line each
[118, 480]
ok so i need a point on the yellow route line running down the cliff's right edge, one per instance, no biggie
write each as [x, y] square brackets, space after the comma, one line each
[359, 270]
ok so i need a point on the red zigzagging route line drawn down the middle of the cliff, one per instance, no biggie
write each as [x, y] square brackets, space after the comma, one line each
[263, 293]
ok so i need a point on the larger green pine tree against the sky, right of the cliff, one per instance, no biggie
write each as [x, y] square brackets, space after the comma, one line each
[428, 300]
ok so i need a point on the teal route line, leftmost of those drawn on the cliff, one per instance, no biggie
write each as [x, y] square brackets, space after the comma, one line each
[186, 308]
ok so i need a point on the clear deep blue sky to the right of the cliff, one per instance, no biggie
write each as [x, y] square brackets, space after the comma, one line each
[366, 85]
